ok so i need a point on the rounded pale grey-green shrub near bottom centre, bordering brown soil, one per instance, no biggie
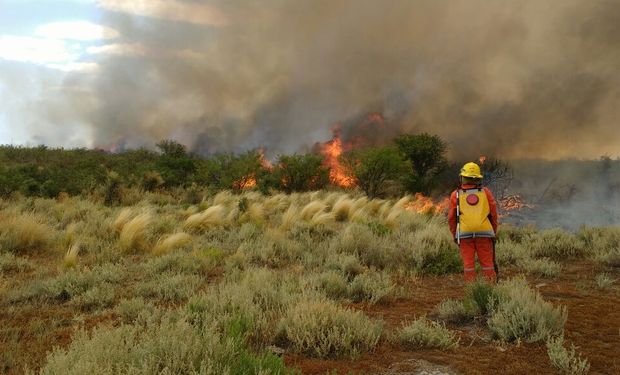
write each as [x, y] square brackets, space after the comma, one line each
[325, 330]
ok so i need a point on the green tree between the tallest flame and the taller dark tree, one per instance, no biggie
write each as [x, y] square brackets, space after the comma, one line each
[374, 167]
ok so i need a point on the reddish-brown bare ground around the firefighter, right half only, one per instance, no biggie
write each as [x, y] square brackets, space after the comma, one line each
[593, 326]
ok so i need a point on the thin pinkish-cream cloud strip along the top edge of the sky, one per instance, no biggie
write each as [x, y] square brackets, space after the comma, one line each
[175, 10]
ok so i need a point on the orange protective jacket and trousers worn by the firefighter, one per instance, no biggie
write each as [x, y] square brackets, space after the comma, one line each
[483, 247]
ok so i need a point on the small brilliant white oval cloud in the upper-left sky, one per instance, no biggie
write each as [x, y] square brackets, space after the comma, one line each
[75, 30]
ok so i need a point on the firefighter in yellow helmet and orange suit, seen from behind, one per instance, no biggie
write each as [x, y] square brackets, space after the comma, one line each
[473, 223]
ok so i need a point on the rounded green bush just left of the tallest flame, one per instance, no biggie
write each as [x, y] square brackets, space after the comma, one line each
[301, 172]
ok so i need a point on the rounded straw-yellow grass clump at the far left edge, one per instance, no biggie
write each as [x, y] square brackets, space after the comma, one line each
[24, 234]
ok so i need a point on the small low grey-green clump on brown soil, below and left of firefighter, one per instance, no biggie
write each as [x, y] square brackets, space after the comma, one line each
[423, 333]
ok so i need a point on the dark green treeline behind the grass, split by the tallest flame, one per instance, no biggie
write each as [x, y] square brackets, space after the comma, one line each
[414, 163]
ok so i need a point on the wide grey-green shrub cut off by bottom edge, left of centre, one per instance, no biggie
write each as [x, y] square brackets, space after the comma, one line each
[167, 346]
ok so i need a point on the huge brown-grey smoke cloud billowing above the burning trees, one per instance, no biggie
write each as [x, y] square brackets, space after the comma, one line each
[513, 79]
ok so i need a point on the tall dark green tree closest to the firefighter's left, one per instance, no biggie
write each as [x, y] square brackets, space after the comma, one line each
[426, 153]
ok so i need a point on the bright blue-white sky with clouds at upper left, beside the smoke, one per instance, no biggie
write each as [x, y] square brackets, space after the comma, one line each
[46, 44]
